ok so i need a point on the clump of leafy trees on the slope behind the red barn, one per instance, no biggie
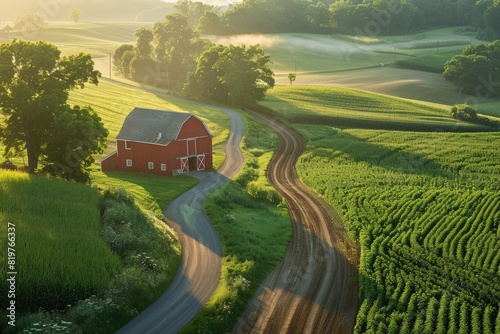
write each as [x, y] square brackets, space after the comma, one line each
[171, 55]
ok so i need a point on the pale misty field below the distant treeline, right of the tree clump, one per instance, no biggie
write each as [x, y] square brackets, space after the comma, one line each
[306, 53]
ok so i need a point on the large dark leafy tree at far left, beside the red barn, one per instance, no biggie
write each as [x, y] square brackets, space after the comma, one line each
[34, 86]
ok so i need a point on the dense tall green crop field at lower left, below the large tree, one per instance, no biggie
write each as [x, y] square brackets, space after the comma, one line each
[60, 257]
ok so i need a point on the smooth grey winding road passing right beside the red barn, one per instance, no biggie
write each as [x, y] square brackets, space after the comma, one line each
[200, 269]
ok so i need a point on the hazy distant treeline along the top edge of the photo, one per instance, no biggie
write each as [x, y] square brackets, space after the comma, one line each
[359, 17]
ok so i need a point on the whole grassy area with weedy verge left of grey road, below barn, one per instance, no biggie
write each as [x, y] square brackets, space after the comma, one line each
[93, 262]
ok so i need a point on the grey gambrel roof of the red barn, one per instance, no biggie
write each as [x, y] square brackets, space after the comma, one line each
[145, 125]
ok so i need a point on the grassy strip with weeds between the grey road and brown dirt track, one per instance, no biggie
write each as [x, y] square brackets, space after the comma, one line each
[253, 223]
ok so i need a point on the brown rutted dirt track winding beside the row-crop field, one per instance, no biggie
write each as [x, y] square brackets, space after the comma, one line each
[314, 288]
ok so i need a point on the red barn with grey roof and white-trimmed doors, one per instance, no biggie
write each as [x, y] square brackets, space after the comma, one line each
[161, 142]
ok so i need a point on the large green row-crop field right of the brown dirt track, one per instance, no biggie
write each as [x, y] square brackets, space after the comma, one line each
[424, 208]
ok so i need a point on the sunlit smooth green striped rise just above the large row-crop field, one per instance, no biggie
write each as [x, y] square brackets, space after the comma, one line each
[349, 107]
